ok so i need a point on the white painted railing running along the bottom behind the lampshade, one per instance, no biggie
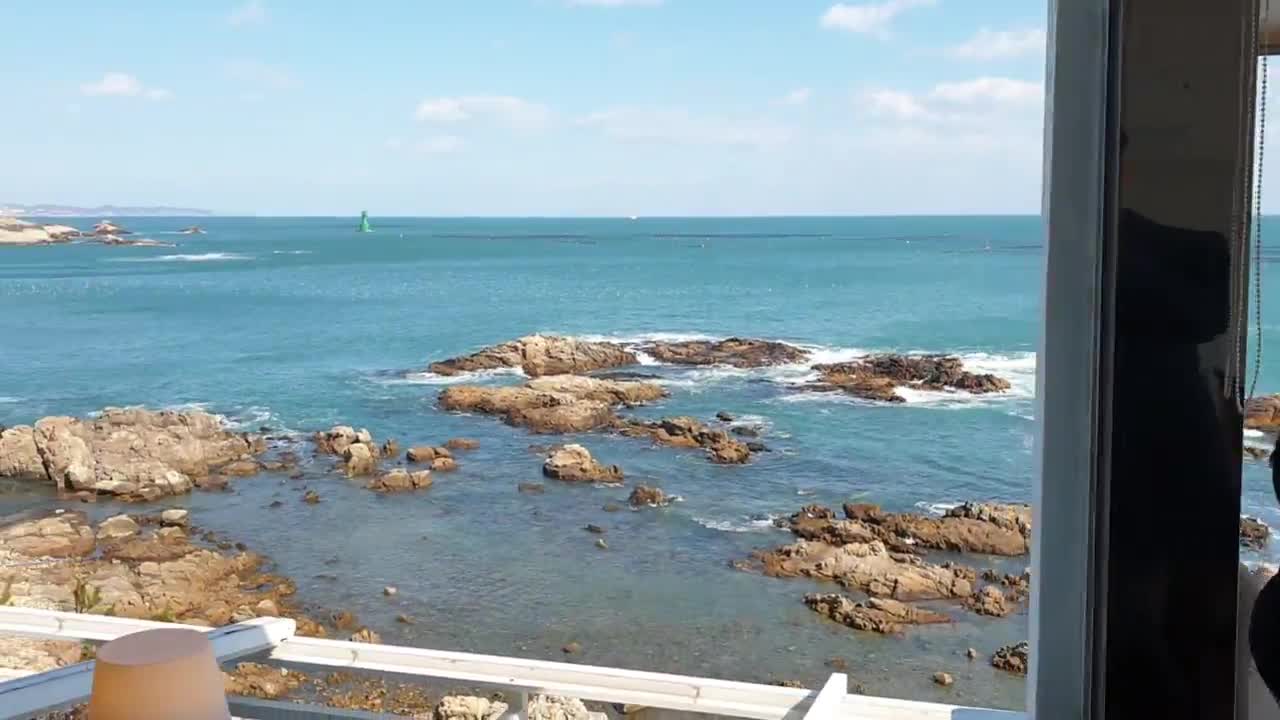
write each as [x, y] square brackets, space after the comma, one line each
[668, 696]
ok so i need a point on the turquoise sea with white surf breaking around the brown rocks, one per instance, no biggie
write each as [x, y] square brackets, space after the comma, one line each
[300, 325]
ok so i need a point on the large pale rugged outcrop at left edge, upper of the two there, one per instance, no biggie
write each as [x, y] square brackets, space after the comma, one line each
[132, 453]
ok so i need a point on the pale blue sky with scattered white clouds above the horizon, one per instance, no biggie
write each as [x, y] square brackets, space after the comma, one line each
[527, 107]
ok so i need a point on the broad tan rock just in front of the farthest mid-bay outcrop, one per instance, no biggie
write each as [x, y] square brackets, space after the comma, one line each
[552, 405]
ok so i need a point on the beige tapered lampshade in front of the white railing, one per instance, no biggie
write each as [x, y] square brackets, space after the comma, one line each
[163, 675]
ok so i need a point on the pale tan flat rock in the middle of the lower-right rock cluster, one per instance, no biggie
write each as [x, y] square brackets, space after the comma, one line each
[871, 568]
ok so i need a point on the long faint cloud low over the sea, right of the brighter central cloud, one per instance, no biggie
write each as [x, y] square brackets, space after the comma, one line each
[680, 127]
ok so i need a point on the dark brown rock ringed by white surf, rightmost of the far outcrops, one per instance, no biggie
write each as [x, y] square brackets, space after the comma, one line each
[880, 376]
